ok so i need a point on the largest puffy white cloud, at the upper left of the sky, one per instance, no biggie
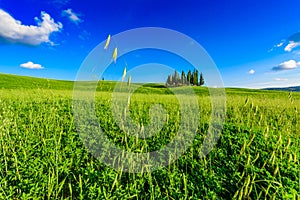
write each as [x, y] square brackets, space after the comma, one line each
[13, 30]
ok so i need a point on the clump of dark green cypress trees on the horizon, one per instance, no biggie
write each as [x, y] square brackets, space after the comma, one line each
[191, 78]
